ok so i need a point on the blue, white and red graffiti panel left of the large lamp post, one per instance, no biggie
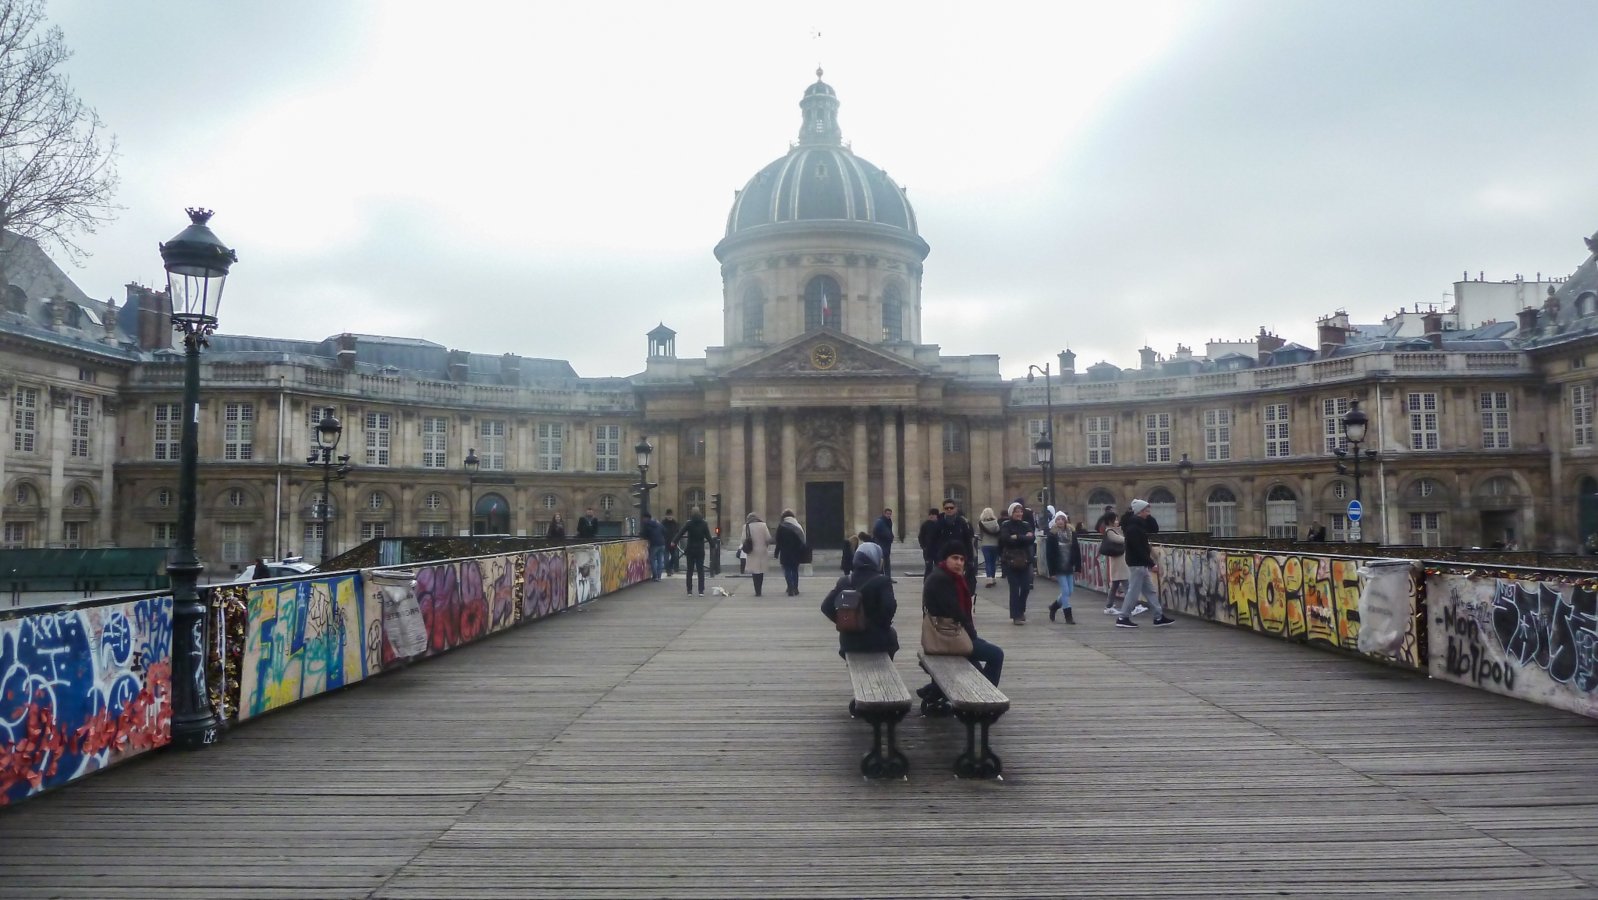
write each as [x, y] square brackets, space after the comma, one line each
[82, 690]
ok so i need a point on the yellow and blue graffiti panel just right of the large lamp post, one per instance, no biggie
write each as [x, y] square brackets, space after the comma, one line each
[303, 639]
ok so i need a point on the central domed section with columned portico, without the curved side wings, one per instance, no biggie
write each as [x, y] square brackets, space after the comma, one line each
[824, 397]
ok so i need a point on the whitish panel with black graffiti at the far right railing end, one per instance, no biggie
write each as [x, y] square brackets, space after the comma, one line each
[1522, 639]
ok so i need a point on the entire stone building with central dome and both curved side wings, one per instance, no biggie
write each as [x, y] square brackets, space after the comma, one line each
[822, 399]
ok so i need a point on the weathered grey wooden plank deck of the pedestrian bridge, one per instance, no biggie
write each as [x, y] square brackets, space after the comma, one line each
[658, 746]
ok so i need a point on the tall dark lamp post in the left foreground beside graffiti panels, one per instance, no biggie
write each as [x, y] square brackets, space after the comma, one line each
[197, 266]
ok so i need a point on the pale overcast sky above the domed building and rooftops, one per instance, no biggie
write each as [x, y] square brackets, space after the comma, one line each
[551, 178]
